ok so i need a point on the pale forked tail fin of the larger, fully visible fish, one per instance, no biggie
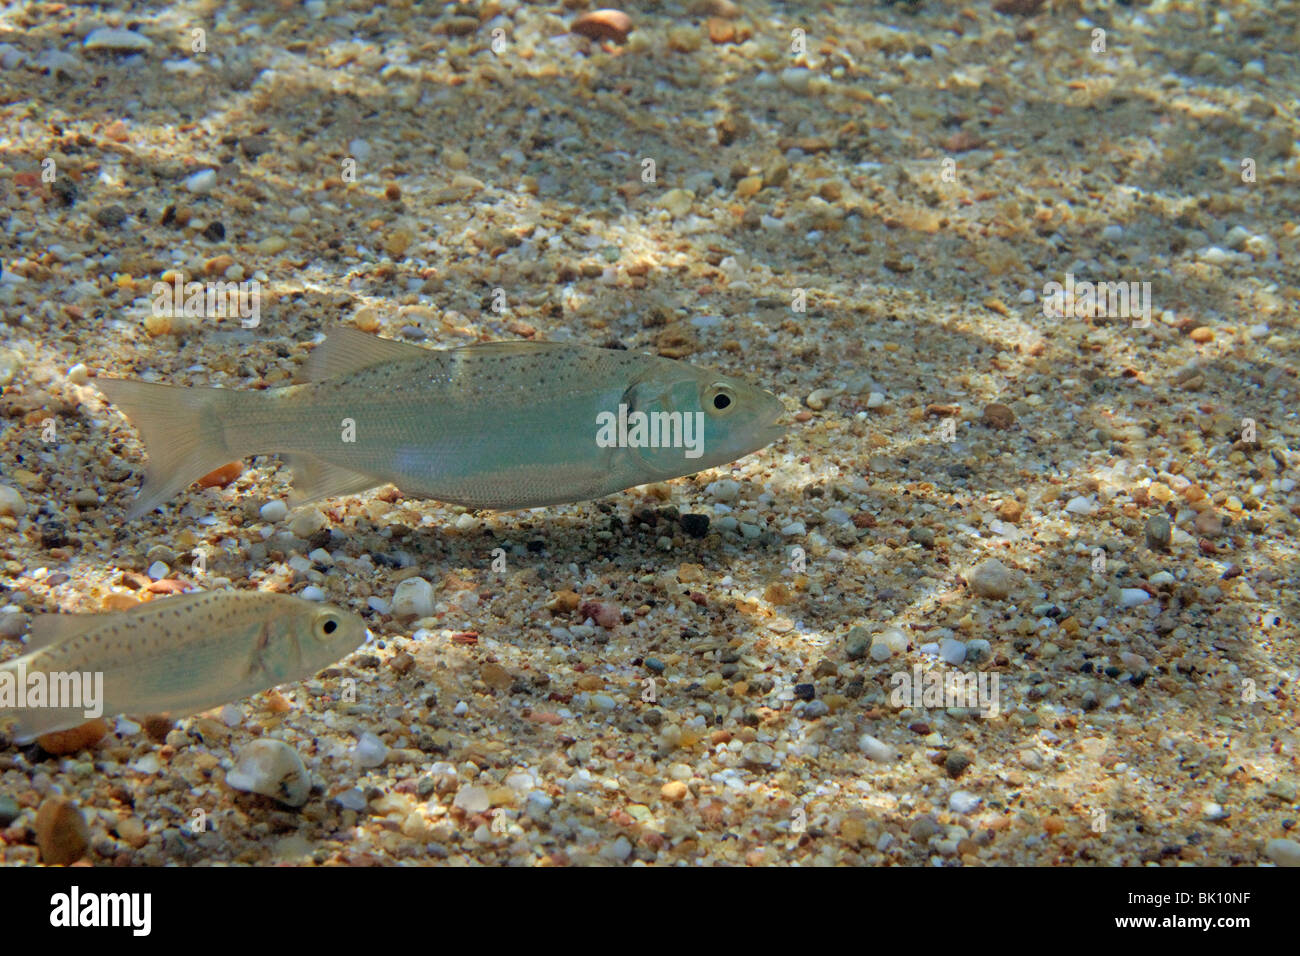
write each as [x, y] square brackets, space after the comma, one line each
[184, 434]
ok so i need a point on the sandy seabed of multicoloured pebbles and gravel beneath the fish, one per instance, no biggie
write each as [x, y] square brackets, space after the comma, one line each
[864, 218]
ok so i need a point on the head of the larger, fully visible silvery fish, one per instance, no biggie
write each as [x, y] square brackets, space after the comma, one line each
[721, 419]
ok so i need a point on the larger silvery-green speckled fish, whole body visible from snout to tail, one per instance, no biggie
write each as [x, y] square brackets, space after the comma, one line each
[499, 426]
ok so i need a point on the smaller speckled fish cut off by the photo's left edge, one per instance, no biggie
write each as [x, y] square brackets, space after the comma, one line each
[172, 656]
